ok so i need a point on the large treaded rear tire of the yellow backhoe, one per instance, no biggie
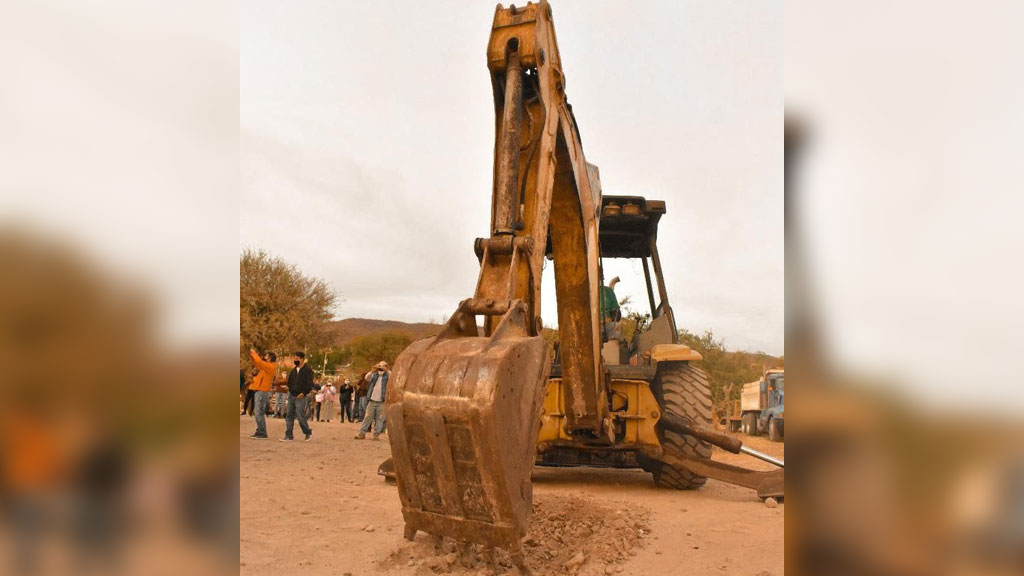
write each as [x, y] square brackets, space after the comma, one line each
[682, 391]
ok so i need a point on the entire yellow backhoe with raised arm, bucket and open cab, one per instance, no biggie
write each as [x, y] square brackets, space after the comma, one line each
[472, 410]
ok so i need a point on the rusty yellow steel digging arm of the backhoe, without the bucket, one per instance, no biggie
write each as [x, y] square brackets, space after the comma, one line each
[542, 183]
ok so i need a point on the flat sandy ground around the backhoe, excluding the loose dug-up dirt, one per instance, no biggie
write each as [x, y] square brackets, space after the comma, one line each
[306, 508]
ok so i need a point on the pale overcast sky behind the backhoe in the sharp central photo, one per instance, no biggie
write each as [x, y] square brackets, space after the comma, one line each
[367, 135]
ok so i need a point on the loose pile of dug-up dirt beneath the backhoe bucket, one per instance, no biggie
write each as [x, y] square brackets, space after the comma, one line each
[572, 536]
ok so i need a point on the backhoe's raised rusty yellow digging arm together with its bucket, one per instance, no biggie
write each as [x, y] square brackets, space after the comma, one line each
[464, 406]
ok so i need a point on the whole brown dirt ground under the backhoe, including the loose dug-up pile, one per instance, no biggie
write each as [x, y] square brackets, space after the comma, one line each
[320, 509]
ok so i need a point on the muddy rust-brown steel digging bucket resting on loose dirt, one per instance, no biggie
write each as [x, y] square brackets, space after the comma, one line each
[463, 418]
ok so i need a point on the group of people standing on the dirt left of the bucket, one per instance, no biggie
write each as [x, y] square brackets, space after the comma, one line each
[300, 395]
